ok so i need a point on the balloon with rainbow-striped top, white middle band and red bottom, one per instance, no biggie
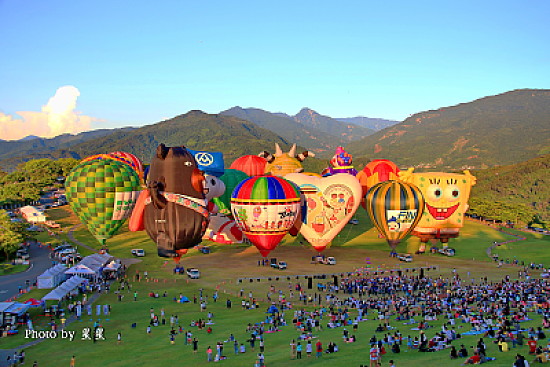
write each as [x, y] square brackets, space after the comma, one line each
[265, 208]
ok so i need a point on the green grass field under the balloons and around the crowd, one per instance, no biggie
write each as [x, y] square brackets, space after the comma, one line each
[354, 247]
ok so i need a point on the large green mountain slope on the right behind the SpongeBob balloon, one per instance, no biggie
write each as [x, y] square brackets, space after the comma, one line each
[496, 130]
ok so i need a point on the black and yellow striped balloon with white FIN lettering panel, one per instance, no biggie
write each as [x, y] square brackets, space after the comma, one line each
[395, 208]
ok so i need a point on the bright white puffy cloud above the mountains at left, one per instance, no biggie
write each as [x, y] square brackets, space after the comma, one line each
[57, 117]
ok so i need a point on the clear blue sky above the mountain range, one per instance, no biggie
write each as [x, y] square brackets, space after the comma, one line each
[137, 62]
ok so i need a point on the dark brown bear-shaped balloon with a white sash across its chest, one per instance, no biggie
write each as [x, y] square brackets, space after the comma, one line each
[175, 213]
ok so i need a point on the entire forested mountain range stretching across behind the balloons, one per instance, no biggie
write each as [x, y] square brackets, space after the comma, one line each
[497, 130]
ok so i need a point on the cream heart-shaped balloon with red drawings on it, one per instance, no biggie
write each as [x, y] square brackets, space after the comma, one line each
[329, 204]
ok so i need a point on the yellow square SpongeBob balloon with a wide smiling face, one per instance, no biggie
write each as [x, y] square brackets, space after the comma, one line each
[446, 196]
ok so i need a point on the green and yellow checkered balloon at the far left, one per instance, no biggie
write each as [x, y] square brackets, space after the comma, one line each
[102, 193]
